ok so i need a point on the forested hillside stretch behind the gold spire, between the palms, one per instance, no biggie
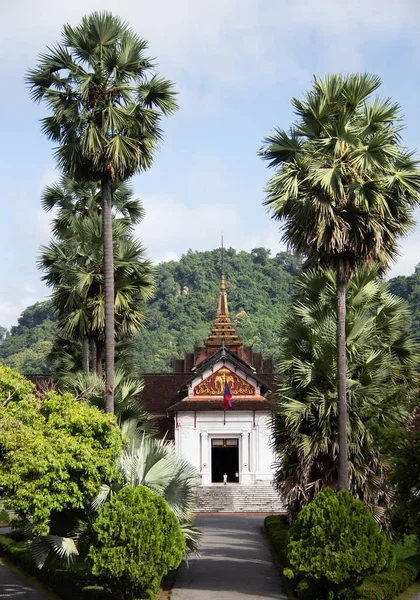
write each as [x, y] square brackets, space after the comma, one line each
[181, 315]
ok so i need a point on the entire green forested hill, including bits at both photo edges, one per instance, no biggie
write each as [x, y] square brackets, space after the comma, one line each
[183, 309]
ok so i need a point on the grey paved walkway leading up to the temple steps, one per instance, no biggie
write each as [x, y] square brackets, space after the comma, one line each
[235, 563]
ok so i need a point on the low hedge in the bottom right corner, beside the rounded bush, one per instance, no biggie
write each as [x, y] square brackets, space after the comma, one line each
[388, 585]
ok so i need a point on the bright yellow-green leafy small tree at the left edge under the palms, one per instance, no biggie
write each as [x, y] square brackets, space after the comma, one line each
[54, 453]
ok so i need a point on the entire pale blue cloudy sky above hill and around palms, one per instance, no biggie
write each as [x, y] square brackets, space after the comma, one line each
[236, 64]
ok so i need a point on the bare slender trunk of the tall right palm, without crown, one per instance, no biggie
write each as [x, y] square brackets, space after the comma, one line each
[343, 469]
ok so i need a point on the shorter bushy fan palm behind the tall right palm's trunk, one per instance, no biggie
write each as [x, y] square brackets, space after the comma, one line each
[382, 387]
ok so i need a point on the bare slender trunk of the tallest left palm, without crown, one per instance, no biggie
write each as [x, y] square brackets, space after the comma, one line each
[108, 293]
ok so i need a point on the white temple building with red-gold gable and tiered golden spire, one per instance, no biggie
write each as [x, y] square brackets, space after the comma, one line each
[189, 406]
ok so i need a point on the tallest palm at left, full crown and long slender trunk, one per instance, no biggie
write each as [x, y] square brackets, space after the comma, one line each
[105, 117]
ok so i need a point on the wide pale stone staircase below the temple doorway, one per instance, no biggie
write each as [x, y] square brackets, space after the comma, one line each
[238, 499]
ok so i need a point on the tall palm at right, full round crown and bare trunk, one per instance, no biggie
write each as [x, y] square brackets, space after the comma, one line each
[345, 189]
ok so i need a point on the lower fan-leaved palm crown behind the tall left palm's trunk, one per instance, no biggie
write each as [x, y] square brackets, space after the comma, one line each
[74, 268]
